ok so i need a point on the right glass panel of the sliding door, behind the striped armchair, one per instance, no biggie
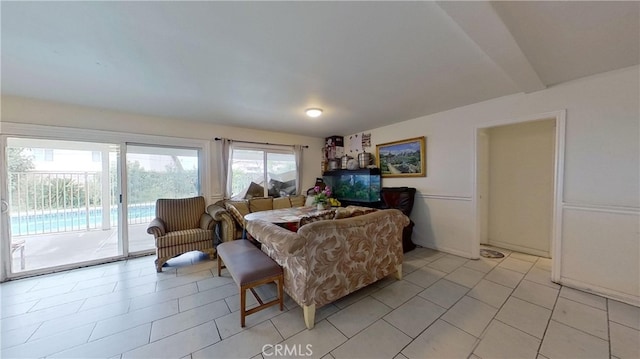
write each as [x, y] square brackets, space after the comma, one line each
[156, 172]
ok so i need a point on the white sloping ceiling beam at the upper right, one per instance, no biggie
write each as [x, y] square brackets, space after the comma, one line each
[483, 25]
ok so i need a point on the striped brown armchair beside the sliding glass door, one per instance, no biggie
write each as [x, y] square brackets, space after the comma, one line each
[181, 225]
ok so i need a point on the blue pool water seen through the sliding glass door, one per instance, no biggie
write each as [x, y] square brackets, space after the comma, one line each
[75, 220]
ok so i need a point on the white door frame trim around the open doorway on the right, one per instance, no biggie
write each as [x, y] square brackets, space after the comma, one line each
[558, 183]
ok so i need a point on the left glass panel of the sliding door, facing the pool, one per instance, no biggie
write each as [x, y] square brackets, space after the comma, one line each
[60, 203]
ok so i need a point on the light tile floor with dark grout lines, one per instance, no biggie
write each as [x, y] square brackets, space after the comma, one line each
[445, 307]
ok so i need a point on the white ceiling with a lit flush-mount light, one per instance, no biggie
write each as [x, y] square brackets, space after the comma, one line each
[260, 64]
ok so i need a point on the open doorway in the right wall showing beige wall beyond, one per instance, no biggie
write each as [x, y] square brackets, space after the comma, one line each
[518, 185]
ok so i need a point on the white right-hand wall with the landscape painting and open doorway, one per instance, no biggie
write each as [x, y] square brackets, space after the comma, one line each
[600, 240]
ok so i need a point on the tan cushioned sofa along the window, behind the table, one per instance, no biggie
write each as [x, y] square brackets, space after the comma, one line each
[229, 214]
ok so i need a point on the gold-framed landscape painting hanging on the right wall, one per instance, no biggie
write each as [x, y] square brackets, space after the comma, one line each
[404, 158]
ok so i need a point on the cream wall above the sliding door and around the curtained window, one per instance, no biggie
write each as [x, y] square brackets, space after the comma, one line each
[29, 111]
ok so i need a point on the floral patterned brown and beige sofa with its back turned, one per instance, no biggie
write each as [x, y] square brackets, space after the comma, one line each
[328, 259]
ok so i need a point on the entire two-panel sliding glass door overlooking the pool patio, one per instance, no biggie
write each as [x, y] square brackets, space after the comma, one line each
[63, 204]
